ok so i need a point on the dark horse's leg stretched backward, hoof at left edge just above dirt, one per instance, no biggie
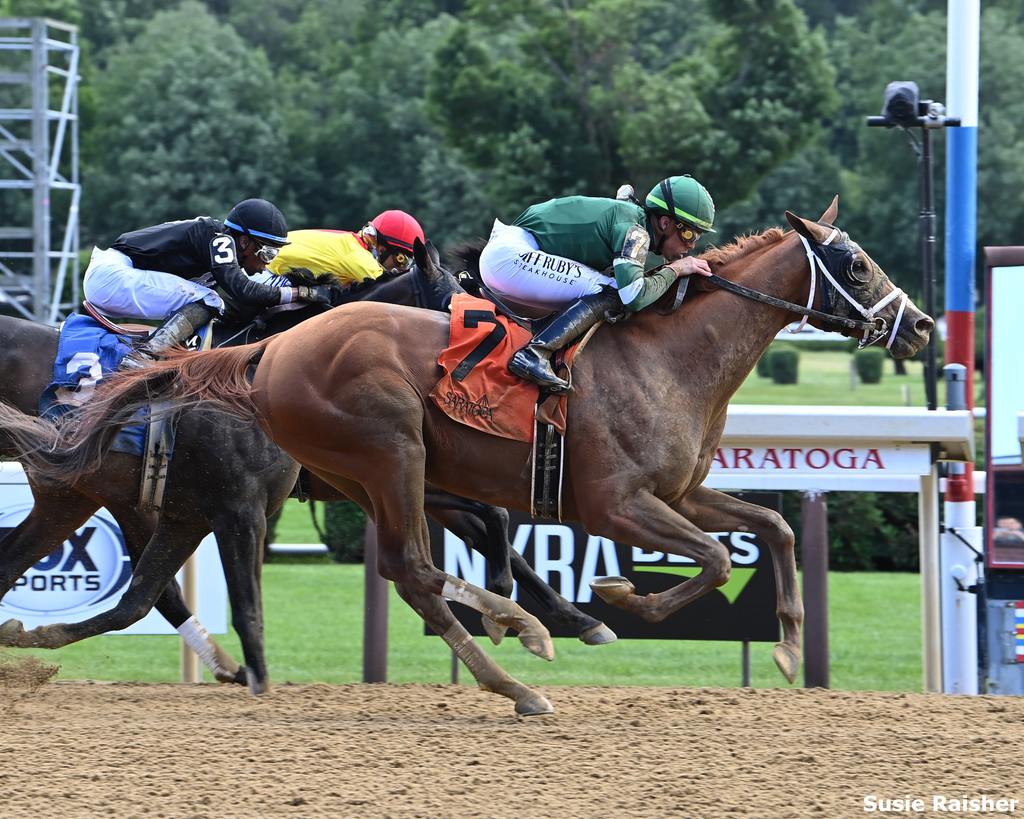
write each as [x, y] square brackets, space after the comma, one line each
[164, 555]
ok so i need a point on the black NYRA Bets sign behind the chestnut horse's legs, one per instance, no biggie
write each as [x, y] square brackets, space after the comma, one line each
[568, 558]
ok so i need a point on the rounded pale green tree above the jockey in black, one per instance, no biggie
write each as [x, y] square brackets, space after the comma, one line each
[186, 125]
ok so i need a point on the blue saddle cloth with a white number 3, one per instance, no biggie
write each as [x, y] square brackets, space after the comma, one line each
[88, 352]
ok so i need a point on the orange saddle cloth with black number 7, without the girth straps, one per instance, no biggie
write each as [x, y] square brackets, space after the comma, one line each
[478, 389]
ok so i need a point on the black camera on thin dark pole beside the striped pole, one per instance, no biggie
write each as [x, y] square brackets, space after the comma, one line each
[903, 108]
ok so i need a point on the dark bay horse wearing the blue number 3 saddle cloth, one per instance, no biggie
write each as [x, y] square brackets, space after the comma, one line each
[226, 478]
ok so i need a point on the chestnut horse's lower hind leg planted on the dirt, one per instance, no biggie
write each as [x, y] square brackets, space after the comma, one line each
[489, 674]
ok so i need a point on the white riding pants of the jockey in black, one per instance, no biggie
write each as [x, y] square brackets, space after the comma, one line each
[115, 286]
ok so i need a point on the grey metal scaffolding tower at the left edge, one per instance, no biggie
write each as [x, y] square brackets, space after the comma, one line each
[38, 159]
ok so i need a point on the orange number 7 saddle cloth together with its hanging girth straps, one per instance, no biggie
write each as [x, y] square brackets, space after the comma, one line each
[479, 391]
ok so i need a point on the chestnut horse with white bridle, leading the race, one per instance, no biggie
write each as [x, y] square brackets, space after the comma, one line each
[347, 396]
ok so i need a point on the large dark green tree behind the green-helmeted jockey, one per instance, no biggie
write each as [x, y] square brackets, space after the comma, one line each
[600, 95]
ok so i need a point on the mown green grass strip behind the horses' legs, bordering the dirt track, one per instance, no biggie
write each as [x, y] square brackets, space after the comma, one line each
[315, 629]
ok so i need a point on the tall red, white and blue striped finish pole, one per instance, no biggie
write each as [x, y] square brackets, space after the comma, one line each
[959, 569]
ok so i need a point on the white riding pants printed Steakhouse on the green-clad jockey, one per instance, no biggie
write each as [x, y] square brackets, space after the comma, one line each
[514, 266]
